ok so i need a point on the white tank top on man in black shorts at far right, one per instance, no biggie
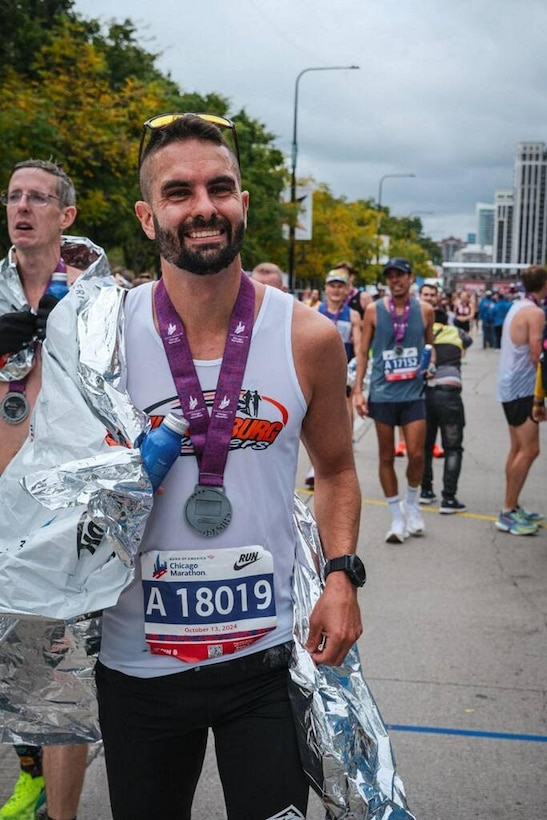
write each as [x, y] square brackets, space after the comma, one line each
[517, 372]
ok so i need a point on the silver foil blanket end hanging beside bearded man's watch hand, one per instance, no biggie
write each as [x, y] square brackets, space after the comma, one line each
[344, 744]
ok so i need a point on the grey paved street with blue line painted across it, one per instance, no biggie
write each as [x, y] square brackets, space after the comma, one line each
[455, 644]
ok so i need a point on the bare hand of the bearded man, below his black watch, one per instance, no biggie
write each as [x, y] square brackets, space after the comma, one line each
[335, 623]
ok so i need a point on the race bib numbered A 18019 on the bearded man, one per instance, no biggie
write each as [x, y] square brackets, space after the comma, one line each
[203, 604]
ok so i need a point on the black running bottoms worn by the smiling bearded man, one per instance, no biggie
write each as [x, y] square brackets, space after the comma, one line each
[155, 735]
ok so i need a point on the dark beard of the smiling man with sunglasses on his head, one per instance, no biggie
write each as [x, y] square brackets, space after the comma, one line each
[209, 258]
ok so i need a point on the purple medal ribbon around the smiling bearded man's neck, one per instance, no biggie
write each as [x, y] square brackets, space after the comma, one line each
[210, 435]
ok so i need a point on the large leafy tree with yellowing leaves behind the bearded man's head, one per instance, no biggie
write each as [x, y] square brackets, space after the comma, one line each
[85, 96]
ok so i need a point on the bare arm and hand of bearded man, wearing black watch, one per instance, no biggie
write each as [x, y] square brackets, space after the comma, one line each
[335, 623]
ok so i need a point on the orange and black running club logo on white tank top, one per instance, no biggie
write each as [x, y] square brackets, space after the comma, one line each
[258, 422]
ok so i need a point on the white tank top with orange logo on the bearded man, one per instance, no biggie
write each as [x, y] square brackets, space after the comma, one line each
[259, 478]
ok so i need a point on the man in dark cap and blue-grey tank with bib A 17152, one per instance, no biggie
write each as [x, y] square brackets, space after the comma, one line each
[397, 328]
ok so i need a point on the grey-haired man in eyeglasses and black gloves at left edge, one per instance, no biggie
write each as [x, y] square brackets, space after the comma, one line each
[41, 206]
